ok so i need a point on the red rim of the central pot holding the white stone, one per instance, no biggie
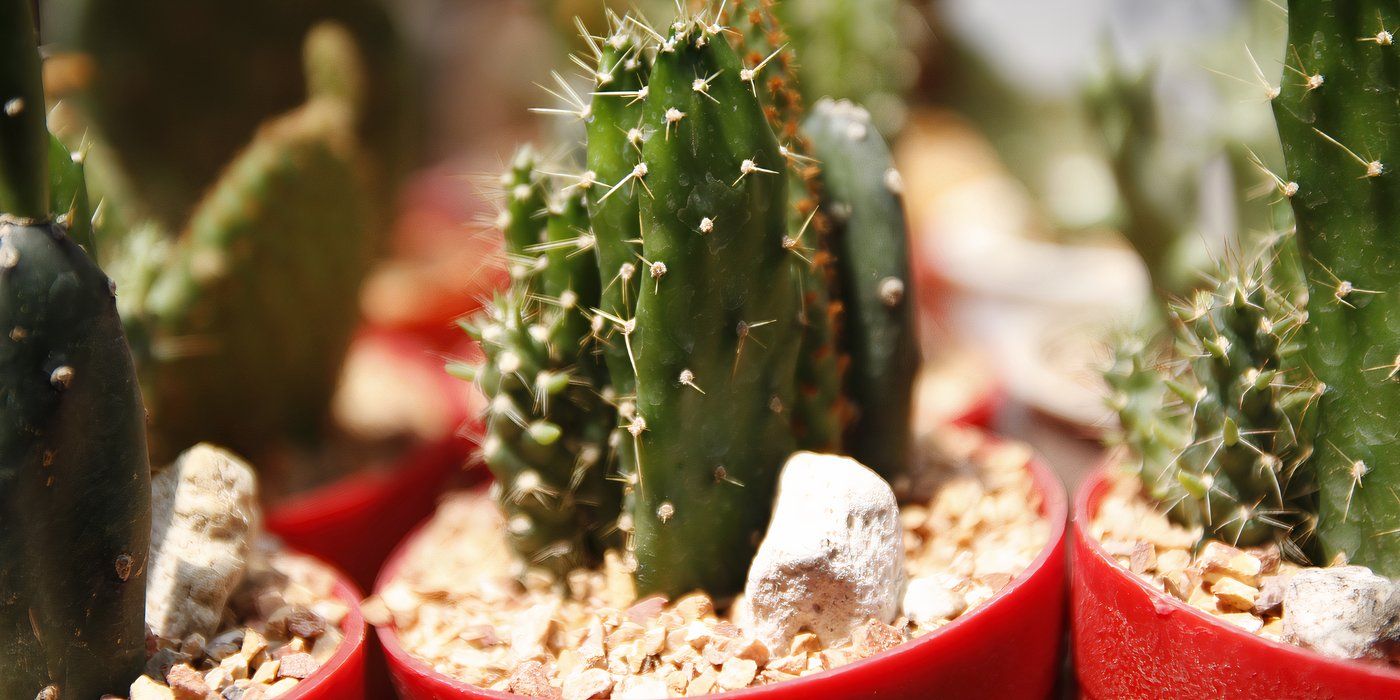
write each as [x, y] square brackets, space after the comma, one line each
[1055, 507]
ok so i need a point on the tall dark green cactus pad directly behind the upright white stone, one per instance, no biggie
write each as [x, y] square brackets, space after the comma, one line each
[716, 316]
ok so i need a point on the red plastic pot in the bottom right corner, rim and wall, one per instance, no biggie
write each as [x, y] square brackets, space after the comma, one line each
[1133, 642]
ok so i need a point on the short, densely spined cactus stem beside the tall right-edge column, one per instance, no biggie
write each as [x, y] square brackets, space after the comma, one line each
[1221, 433]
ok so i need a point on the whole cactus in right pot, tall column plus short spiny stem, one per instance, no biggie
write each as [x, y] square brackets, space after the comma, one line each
[1290, 394]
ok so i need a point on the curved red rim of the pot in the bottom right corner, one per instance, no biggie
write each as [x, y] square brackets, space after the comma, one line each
[1086, 505]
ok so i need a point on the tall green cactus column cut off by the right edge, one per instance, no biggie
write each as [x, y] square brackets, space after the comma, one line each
[1340, 127]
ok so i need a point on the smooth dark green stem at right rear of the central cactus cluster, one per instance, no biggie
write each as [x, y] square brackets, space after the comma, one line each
[863, 195]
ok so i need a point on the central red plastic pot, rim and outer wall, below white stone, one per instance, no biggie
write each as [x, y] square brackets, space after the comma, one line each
[1009, 649]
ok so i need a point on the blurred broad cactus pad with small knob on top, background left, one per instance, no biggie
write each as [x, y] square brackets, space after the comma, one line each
[219, 316]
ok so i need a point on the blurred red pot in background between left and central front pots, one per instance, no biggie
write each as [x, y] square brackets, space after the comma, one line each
[356, 521]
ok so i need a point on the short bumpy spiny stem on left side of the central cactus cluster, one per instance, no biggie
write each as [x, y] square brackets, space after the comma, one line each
[548, 426]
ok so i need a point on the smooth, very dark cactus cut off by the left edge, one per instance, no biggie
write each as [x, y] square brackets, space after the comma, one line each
[75, 479]
